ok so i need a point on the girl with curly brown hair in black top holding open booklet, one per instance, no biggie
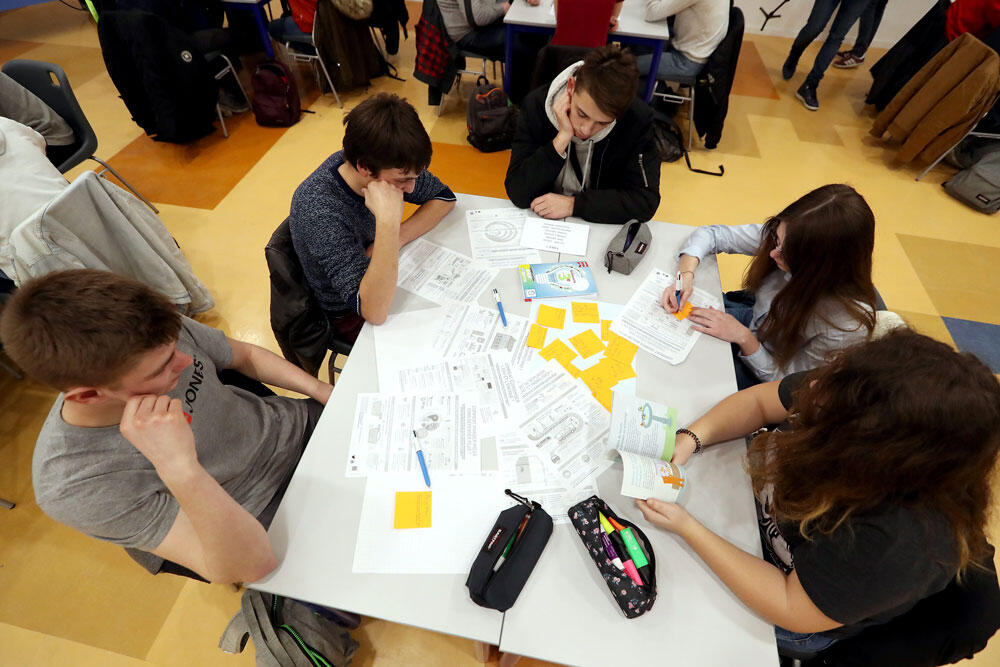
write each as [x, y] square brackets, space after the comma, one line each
[872, 497]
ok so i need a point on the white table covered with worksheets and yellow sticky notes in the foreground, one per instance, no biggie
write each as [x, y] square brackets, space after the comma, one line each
[695, 620]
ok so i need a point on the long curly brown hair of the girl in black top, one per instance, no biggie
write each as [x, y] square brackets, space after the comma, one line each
[899, 421]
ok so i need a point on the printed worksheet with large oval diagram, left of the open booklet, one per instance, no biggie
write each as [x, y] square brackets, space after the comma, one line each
[565, 425]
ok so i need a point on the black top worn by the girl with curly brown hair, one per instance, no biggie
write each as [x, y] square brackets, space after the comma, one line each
[871, 569]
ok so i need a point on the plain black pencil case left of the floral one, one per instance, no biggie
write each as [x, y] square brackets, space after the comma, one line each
[499, 590]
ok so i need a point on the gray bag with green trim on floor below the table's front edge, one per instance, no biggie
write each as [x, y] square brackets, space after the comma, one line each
[286, 633]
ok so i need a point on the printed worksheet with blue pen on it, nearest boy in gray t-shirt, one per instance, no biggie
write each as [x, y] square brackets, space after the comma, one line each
[388, 429]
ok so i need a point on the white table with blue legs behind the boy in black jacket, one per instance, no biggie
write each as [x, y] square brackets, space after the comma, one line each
[632, 28]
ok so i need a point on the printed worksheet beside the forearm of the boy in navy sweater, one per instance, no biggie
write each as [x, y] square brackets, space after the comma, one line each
[441, 275]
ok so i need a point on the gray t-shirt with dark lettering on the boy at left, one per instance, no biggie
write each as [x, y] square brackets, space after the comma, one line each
[94, 480]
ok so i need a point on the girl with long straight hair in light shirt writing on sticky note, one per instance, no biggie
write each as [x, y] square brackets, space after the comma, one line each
[808, 290]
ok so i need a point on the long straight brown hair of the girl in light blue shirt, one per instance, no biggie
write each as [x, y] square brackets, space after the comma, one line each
[828, 244]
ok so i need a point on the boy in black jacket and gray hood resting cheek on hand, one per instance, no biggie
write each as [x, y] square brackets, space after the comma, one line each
[584, 145]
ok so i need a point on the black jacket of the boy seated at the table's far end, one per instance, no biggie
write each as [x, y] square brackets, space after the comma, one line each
[624, 182]
